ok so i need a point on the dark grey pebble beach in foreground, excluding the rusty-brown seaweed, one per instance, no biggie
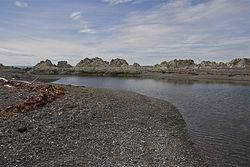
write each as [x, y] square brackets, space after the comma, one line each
[94, 127]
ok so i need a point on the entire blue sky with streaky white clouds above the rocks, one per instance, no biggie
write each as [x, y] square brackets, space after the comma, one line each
[143, 31]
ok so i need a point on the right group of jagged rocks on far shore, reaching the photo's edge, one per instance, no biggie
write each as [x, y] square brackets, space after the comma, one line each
[234, 67]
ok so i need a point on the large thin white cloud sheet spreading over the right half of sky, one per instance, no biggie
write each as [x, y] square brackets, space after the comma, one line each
[214, 30]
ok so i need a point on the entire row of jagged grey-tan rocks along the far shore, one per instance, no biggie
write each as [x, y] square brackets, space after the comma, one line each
[98, 66]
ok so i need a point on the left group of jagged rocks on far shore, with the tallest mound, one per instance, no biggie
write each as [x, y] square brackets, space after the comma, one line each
[95, 66]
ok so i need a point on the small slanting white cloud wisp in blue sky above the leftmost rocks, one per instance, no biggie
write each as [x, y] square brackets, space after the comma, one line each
[83, 24]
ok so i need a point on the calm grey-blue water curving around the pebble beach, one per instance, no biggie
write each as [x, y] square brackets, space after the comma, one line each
[217, 115]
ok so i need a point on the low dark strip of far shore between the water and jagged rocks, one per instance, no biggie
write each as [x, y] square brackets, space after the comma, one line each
[238, 78]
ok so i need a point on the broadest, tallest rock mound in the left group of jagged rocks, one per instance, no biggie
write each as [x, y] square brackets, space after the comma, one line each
[94, 62]
